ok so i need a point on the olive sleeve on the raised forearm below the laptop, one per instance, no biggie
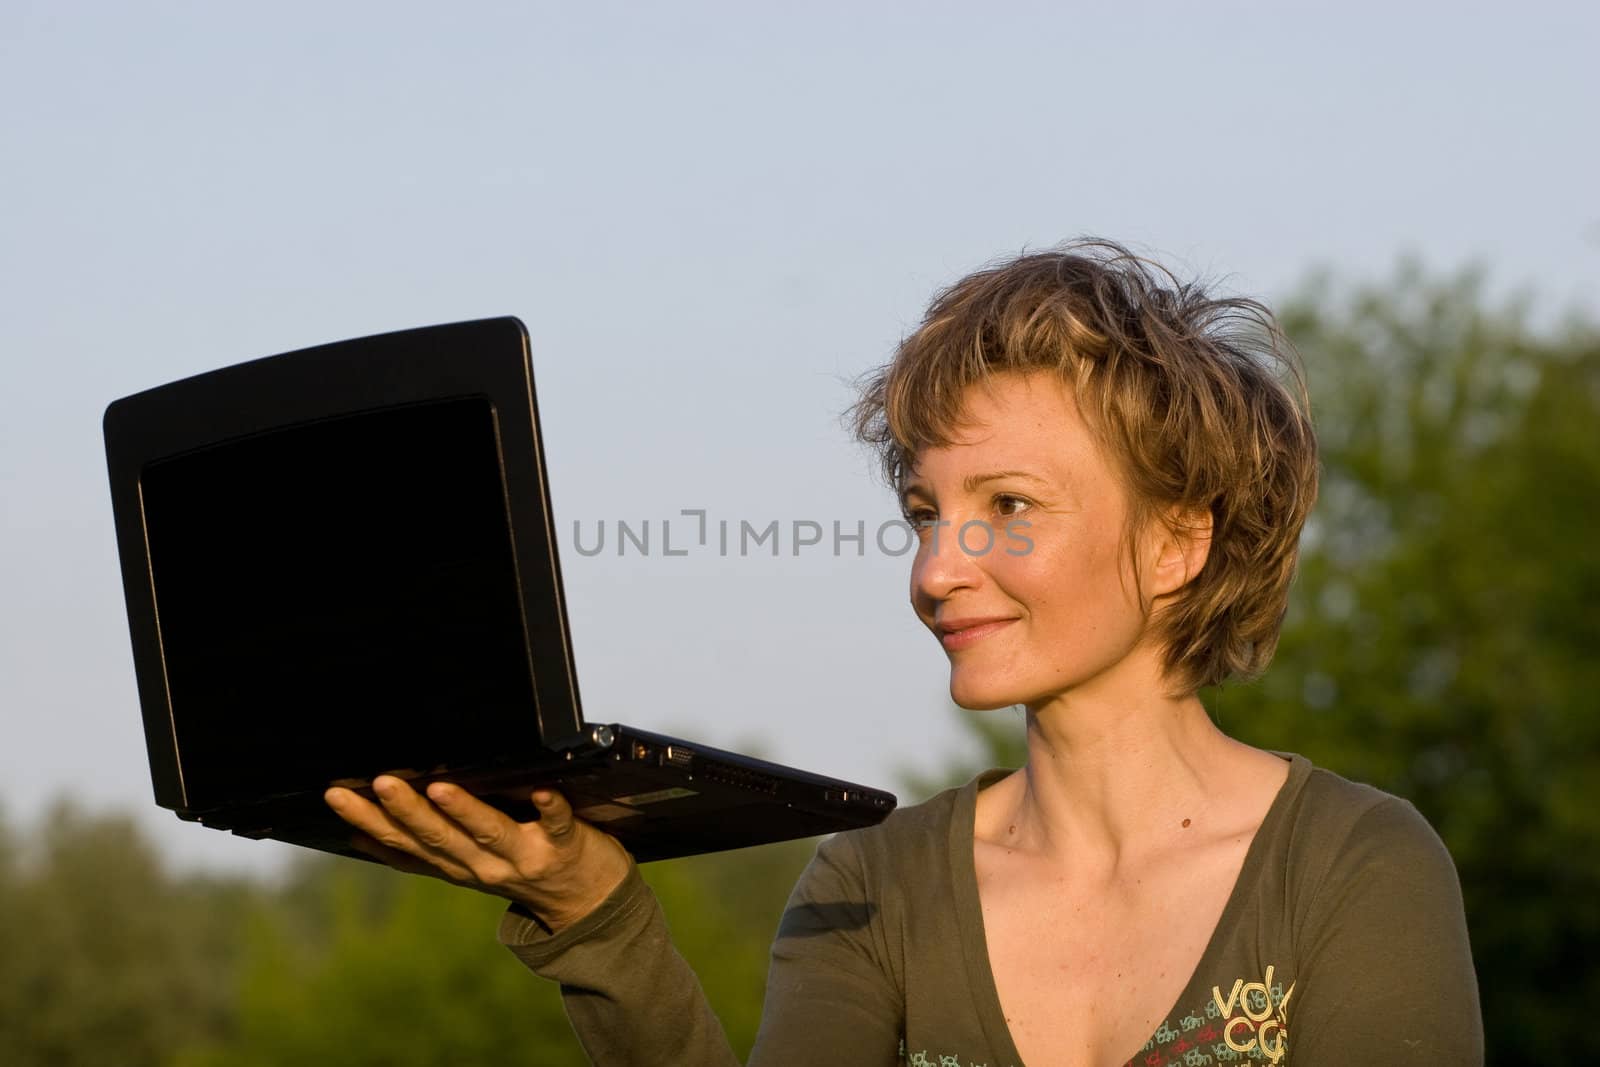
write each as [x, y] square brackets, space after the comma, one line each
[631, 997]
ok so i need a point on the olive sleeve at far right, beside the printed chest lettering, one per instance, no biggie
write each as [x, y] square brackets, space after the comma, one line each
[1386, 969]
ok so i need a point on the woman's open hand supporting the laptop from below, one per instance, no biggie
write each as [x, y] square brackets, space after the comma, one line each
[559, 866]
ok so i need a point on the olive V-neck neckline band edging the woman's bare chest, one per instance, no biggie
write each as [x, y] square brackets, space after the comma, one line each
[970, 913]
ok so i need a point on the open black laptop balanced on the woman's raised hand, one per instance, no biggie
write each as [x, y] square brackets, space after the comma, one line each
[342, 562]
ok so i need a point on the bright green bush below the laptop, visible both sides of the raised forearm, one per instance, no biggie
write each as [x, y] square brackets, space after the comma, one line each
[362, 965]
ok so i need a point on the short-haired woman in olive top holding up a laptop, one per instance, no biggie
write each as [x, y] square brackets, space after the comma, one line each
[1108, 481]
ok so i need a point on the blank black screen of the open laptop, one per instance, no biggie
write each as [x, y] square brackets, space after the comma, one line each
[338, 599]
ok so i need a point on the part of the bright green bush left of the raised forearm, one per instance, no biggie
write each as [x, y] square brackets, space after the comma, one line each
[362, 965]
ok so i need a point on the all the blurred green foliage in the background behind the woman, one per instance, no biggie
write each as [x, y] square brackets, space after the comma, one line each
[1439, 645]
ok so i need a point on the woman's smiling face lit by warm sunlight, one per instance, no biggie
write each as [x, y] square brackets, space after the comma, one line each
[1052, 607]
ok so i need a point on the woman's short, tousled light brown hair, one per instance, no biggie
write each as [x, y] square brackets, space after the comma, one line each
[1199, 402]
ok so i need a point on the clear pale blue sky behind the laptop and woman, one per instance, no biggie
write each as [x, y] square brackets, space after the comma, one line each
[710, 217]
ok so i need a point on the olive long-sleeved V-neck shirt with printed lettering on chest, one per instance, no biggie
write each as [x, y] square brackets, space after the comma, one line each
[1343, 943]
